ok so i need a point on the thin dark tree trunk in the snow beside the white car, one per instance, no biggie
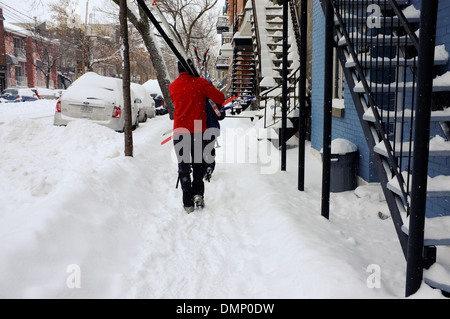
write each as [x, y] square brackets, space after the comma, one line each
[128, 130]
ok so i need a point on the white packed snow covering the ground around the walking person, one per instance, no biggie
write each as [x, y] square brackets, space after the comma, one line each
[80, 220]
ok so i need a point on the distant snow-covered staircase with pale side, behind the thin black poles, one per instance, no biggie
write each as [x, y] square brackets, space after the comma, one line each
[269, 28]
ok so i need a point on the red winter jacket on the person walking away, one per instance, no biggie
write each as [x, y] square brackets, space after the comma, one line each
[188, 93]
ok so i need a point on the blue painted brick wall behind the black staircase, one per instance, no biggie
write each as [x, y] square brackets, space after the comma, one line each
[349, 126]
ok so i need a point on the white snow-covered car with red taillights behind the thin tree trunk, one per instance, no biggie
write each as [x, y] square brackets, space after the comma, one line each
[96, 98]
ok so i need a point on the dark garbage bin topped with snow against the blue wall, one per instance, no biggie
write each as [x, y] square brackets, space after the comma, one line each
[344, 163]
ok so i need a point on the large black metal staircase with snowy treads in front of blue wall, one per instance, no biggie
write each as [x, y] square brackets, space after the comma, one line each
[378, 48]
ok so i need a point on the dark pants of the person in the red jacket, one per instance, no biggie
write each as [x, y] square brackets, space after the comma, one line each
[189, 150]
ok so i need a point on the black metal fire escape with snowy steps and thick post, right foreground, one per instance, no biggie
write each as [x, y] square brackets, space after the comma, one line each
[386, 70]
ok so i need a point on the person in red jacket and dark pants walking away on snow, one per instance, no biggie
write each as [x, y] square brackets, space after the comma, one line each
[188, 94]
